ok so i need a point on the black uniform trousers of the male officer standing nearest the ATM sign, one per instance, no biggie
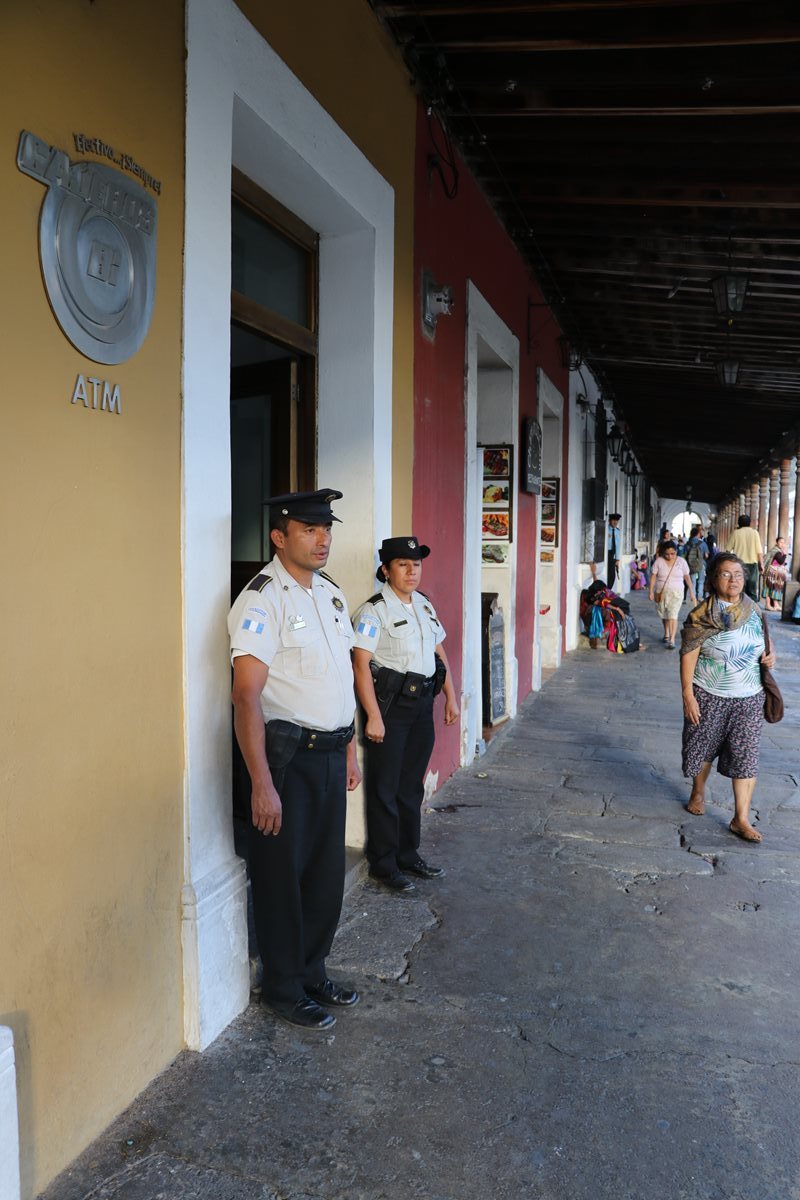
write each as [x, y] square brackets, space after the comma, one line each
[298, 879]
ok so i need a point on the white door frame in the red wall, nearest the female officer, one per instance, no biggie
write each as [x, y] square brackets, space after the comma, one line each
[484, 322]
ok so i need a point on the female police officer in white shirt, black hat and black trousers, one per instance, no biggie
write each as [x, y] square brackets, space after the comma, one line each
[398, 641]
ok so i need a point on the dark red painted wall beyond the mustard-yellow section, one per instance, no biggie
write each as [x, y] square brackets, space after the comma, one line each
[460, 241]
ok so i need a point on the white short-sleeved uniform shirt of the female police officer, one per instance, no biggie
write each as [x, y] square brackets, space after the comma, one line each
[400, 637]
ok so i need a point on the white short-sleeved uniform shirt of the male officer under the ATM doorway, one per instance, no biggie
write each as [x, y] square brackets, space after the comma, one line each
[305, 641]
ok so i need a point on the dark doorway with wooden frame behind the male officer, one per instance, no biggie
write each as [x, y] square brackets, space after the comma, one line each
[273, 388]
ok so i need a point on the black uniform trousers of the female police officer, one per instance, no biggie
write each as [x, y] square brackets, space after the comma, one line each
[395, 785]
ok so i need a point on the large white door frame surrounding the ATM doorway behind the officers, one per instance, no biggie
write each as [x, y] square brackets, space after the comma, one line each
[244, 107]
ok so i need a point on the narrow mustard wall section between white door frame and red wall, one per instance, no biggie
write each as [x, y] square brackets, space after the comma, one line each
[342, 56]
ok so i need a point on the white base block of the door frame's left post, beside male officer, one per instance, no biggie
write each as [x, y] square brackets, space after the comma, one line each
[216, 965]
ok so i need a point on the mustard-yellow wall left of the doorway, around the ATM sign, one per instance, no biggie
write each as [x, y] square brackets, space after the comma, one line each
[91, 709]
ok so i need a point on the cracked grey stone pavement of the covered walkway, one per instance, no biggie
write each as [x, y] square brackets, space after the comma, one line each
[600, 1000]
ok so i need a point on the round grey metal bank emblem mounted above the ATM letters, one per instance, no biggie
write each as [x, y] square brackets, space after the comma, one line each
[98, 249]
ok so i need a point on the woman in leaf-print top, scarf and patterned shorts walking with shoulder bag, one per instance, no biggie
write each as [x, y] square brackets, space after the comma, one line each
[723, 645]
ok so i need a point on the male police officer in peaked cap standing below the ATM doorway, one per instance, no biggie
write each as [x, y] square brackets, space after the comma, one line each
[291, 640]
